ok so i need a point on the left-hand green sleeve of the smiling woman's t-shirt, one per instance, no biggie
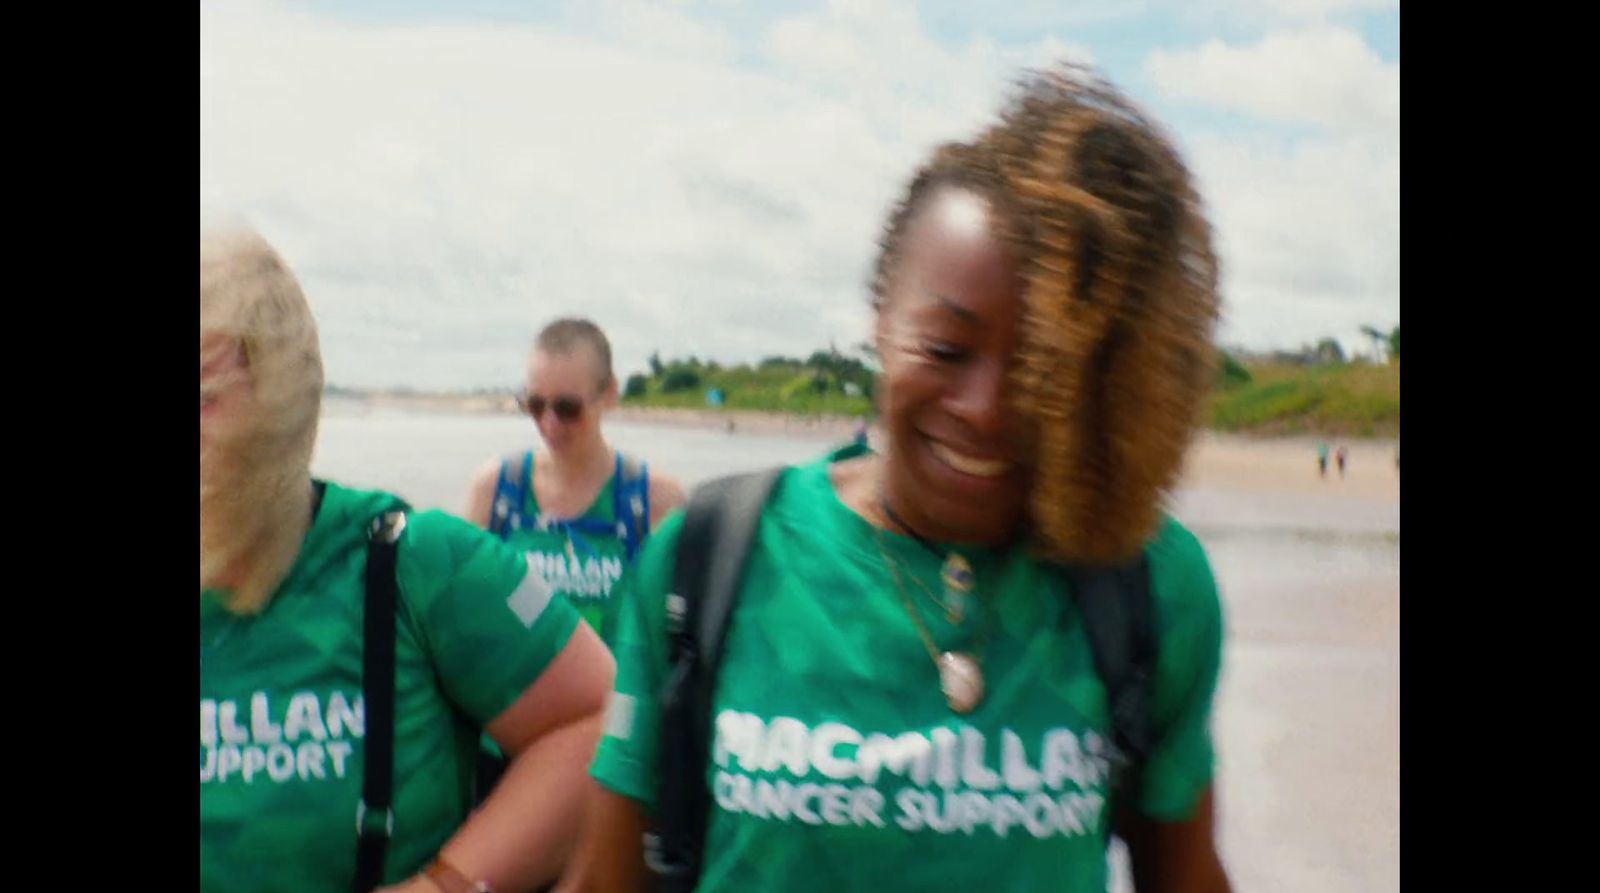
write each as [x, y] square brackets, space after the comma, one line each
[626, 761]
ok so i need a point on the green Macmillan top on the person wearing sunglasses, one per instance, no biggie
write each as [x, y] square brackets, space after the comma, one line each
[585, 567]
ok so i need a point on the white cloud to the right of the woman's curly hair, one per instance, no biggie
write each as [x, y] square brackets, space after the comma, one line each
[1310, 228]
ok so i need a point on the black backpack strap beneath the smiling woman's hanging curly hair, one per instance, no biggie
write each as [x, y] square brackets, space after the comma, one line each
[1119, 619]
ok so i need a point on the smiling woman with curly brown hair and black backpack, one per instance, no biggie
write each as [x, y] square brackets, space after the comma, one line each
[938, 659]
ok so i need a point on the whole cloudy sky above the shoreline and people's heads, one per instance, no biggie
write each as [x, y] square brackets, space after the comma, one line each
[710, 177]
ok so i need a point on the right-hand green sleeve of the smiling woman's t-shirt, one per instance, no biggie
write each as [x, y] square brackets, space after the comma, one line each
[1190, 623]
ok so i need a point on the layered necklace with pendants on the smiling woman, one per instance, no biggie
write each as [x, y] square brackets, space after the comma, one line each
[961, 673]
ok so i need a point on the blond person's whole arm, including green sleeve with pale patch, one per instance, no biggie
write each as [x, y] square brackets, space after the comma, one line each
[516, 659]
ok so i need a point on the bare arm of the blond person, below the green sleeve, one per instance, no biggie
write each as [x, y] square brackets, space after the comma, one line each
[524, 833]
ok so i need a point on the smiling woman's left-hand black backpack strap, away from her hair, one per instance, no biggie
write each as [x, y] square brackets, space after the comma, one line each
[719, 529]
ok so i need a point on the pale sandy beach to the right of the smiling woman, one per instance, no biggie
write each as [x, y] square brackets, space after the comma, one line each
[1308, 715]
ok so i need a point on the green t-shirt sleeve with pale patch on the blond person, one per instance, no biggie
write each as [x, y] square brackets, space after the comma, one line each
[487, 623]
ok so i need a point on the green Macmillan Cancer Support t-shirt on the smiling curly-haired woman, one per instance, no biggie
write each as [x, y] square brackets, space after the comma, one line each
[836, 761]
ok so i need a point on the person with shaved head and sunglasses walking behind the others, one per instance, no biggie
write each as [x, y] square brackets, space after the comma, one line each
[577, 507]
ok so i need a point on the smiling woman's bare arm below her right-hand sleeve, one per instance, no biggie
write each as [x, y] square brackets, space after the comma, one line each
[1175, 857]
